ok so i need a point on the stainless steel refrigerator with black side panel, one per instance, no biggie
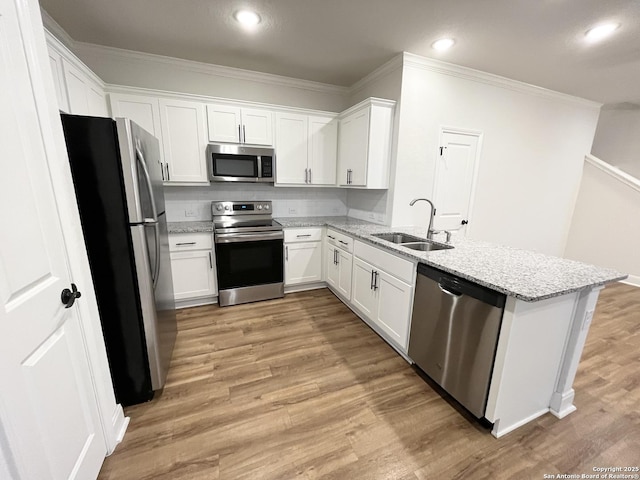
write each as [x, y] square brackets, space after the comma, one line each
[116, 168]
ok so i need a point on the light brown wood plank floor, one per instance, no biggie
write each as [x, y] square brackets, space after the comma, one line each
[301, 388]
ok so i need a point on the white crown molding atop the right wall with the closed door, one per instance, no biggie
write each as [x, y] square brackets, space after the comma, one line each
[444, 68]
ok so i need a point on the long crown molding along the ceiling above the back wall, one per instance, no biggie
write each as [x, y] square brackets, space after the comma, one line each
[210, 69]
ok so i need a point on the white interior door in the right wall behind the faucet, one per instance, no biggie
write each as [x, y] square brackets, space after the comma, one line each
[455, 174]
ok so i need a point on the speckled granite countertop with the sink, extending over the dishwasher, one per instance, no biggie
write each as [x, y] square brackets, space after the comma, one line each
[523, 274]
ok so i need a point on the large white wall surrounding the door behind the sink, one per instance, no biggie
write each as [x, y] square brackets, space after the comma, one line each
[533, 147]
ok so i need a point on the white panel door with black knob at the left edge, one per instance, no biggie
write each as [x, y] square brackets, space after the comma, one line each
[48, 410]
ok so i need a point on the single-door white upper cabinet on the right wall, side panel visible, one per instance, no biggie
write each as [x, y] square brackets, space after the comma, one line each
[364, 147]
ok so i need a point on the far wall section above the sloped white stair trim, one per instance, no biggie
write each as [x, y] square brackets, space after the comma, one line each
[617, 139]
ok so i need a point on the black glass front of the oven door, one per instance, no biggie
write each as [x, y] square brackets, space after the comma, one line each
[246, 264]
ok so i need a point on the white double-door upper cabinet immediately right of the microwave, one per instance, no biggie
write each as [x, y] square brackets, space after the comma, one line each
[306, 149]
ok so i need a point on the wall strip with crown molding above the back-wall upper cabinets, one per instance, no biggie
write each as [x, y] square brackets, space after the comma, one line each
[123, 67]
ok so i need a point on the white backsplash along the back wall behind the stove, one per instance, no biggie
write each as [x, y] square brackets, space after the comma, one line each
[194, 203]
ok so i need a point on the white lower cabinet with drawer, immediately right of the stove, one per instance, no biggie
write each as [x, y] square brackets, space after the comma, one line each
[302, 256]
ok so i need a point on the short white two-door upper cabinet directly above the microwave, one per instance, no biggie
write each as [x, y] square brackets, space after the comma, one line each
[234, 124]
